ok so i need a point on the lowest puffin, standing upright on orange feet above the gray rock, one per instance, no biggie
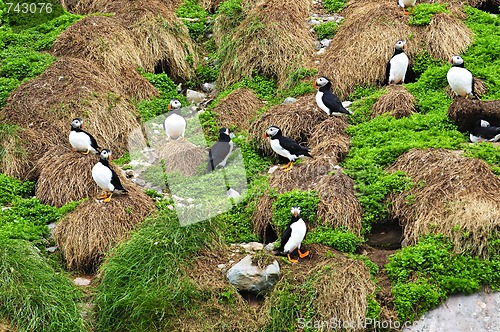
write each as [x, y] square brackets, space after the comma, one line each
[293, 236]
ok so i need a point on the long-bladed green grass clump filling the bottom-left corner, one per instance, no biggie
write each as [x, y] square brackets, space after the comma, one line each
[34, 296]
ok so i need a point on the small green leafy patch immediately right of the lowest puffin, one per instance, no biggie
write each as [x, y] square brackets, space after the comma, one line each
[339, 238]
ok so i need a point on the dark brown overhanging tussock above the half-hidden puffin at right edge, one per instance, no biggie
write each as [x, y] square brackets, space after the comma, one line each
[465, 112]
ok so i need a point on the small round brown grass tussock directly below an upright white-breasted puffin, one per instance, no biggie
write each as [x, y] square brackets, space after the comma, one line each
[398, 102]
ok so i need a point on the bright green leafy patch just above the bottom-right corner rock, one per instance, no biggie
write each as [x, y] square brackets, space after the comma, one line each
[425, 274]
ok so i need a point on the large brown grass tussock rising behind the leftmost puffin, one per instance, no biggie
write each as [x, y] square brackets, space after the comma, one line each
[44, 107]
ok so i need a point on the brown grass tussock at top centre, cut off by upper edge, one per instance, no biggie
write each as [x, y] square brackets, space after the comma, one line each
[273, 40]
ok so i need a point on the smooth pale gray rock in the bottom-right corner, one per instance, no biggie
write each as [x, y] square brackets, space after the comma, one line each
[478, 312]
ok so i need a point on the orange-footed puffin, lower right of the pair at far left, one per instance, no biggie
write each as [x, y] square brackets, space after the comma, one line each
[106, 178]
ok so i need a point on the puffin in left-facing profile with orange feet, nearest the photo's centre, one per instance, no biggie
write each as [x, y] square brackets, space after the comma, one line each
[285, 147]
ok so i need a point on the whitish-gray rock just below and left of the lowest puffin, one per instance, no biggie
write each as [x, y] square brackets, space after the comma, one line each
[247, 277]
